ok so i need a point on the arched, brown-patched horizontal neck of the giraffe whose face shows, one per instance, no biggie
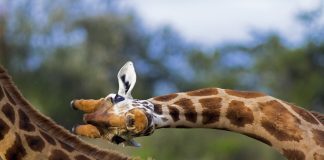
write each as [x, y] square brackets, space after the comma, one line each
[293, 131]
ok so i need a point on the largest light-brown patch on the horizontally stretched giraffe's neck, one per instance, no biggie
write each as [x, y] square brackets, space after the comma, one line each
[279, 122]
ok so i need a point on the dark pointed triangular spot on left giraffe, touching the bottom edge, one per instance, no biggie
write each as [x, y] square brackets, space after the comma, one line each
[16, 151]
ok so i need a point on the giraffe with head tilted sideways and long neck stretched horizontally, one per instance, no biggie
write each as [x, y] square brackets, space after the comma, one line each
[296, 133]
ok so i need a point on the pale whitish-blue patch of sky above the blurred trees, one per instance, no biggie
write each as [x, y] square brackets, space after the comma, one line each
[211, 22]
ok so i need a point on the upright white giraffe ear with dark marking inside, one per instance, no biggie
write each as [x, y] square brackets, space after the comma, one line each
[126, 79]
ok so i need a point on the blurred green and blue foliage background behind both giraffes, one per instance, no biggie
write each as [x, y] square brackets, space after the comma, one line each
[72, 49]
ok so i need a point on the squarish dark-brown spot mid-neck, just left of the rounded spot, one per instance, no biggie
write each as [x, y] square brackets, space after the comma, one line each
[211, 109]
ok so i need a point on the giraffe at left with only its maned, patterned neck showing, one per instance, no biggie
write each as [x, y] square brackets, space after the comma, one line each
[27, 134]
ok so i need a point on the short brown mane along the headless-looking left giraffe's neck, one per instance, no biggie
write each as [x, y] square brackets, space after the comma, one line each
[50, 126]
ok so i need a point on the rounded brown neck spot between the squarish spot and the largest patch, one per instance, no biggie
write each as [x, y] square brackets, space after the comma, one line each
[239, 114]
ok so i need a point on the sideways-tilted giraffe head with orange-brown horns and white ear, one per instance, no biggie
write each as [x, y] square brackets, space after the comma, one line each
[117, 117]
